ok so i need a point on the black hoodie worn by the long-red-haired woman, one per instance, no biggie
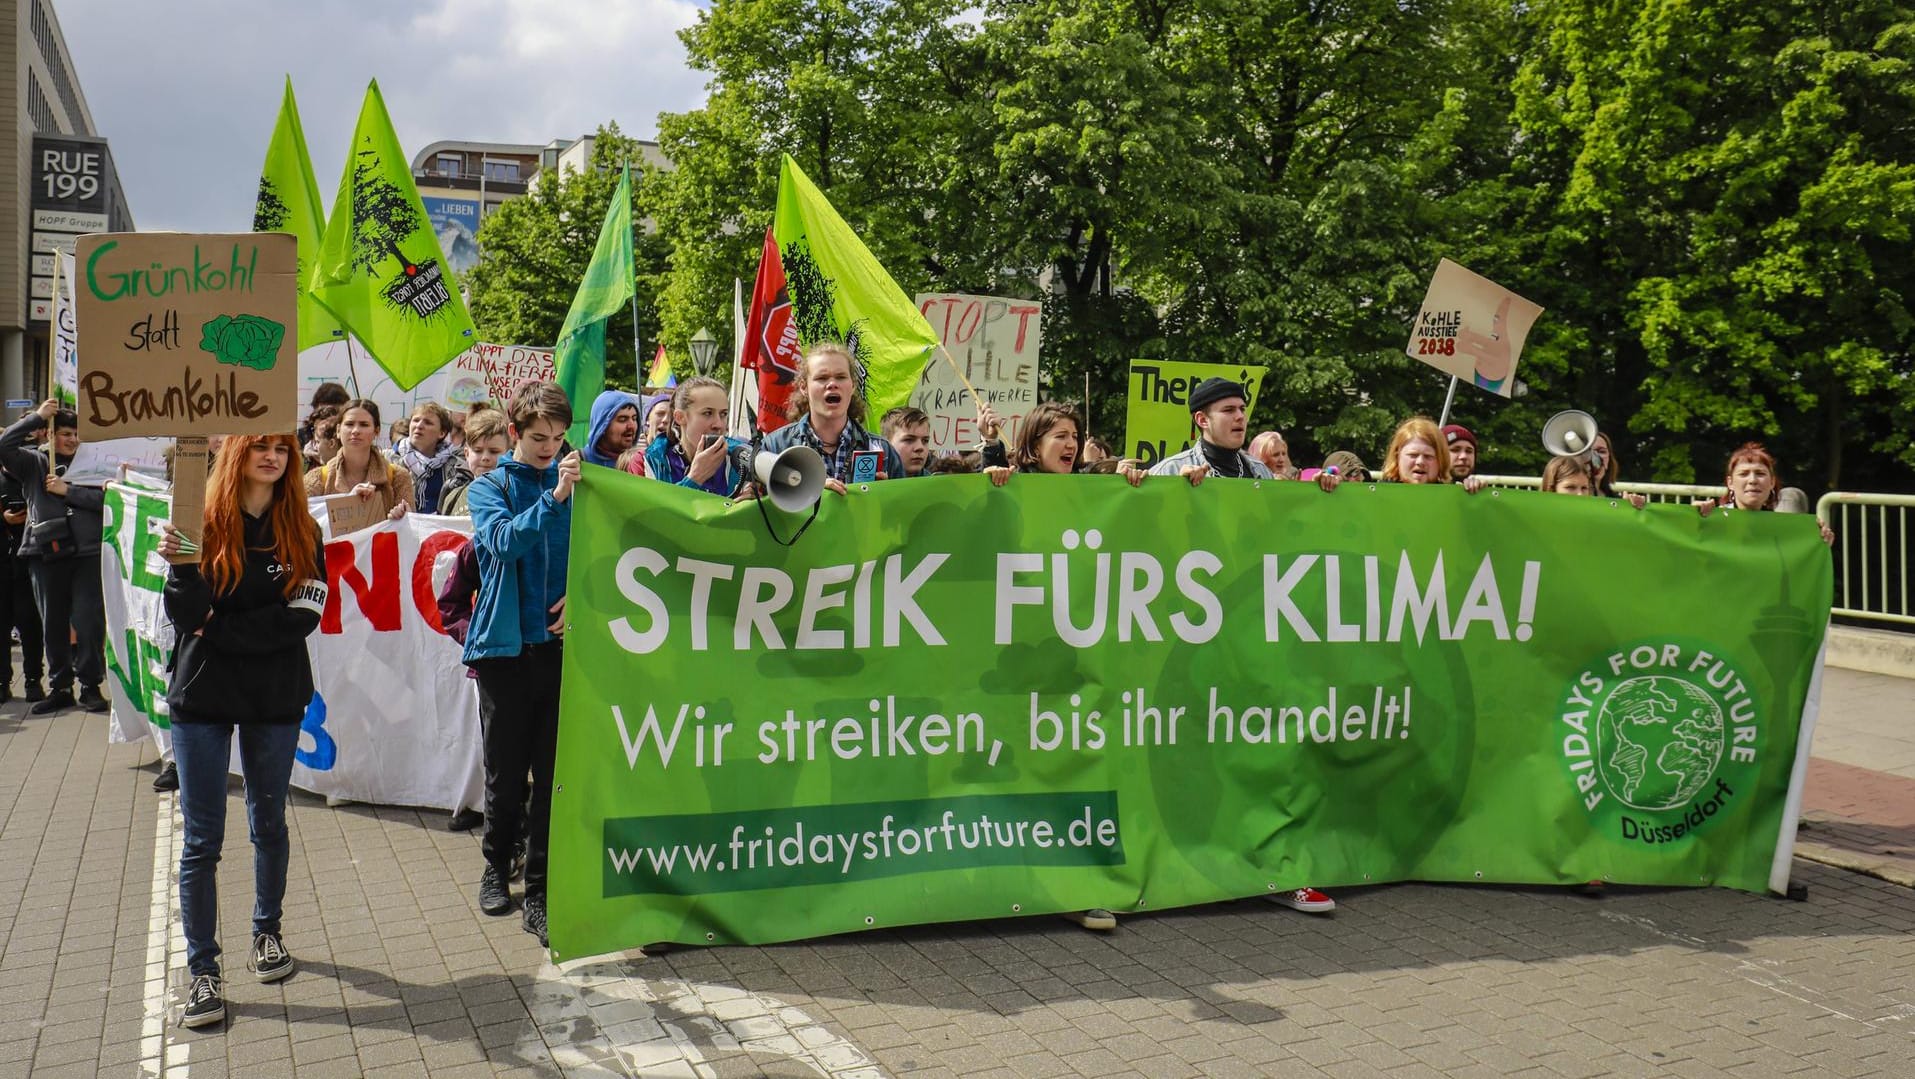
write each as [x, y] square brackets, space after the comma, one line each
[250, 662]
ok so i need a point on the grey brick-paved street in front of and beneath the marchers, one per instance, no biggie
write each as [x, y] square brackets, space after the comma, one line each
[403, 976]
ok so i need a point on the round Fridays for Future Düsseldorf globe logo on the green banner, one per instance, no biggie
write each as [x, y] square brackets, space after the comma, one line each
[1659, 737]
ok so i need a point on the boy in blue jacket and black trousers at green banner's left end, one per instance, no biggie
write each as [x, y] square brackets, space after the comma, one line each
[522, 530]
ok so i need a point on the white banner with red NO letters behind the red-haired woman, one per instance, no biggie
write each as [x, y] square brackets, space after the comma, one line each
[394, 720]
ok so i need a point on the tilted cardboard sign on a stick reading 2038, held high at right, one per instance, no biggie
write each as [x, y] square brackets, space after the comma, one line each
[1472, 329]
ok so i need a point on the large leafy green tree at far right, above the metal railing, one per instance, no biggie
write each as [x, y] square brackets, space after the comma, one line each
[1715, 202]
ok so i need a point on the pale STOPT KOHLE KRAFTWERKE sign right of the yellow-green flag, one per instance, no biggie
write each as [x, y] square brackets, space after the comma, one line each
[995, 342]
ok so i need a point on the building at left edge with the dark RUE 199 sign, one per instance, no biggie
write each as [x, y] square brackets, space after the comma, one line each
[56, 185]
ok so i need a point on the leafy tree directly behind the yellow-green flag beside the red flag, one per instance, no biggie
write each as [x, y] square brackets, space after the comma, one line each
[834, 83]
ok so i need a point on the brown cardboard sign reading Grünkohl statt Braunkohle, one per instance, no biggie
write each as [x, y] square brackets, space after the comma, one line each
[187, 334]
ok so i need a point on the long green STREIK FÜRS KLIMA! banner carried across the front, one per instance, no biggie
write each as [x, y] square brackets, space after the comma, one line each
[957, 702]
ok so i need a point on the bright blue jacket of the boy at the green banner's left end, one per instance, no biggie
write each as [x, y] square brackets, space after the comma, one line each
[522, 538]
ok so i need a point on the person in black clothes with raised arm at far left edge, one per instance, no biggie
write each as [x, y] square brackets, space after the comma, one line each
[62, 547]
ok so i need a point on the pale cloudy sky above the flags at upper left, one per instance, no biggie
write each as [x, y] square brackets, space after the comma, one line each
[187, 91]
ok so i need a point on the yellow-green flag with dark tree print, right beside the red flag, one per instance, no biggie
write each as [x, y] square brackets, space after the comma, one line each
[842, 294]
